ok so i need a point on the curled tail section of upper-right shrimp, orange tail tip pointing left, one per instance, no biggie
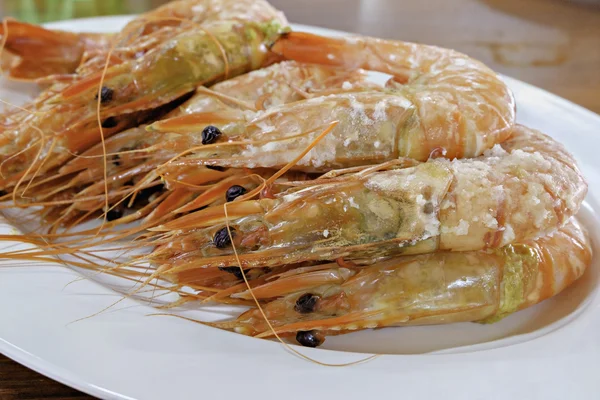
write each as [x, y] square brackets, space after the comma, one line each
[458, 104]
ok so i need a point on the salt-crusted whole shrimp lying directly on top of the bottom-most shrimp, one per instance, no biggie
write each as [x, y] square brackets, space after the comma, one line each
[525, 188]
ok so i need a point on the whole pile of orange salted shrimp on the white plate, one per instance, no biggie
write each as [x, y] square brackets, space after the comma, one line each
[263, 167]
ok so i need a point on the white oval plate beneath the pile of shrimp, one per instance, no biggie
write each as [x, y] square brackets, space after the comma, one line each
[548, 351]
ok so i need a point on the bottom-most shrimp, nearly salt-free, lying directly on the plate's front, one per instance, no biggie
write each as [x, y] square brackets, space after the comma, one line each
[440, 288]
